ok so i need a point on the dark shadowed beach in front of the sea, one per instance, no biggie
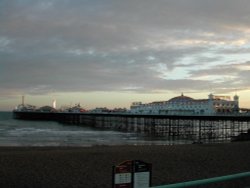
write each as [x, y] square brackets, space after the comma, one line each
[92, 166]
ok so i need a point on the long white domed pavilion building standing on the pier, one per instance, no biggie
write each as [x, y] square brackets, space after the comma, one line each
[184, 105]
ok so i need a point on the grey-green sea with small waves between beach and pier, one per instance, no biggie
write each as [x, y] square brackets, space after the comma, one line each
[47, 133]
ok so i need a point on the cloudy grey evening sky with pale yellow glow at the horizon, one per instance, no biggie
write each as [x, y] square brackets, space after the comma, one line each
[110, 53]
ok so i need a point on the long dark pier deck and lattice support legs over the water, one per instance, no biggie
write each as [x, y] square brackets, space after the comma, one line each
[196, 128]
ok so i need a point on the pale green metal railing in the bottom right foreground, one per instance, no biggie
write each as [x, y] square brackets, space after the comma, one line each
[206, 181]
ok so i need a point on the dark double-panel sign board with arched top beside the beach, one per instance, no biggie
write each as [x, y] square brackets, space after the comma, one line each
[132, 174]
